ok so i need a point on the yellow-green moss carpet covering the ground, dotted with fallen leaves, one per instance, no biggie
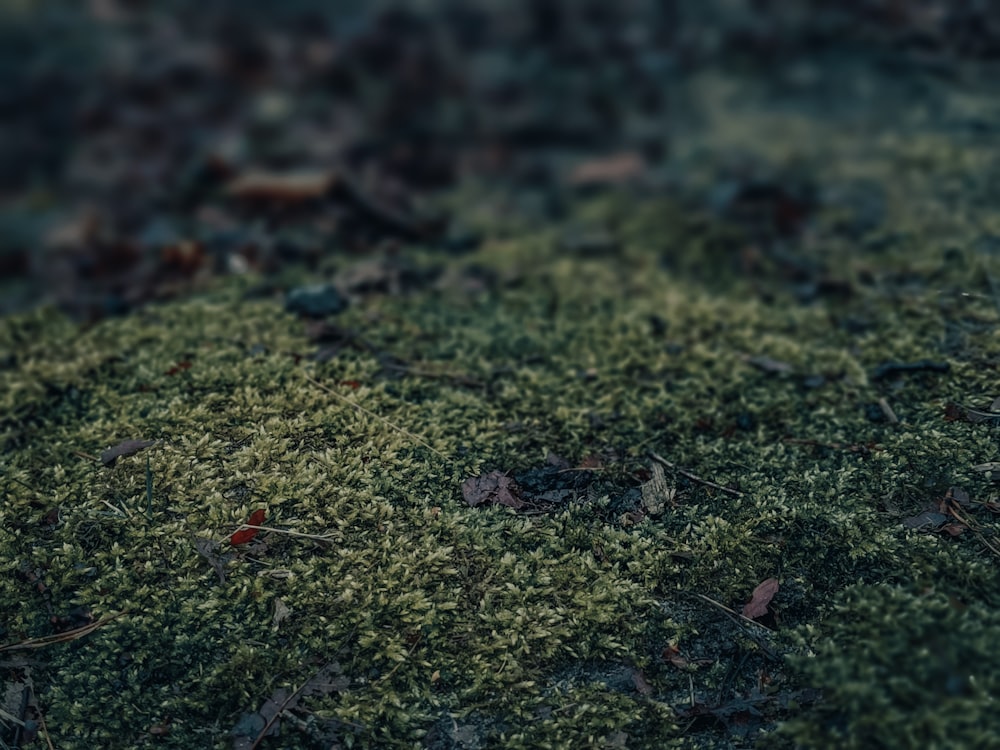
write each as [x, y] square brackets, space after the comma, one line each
[484, 627]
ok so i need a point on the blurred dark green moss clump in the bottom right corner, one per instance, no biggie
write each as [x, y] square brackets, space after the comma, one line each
[898, 668]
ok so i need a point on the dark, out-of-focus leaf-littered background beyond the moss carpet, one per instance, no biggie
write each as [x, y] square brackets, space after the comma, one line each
[149, 147]
